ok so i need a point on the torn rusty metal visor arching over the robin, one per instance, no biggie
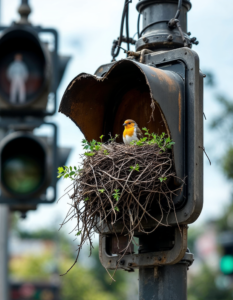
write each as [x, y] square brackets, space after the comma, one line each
[99, 105]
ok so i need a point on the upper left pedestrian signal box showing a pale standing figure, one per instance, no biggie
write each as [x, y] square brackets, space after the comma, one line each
[28, 72]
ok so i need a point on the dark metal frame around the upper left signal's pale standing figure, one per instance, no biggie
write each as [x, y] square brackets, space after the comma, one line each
[36, 106]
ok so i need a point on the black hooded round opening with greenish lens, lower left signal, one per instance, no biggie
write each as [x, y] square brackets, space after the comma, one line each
[23, 164]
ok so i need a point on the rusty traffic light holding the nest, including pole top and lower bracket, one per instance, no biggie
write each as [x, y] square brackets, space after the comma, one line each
[160, 86]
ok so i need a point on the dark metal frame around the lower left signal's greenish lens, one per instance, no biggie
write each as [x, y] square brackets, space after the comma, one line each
[23, 127]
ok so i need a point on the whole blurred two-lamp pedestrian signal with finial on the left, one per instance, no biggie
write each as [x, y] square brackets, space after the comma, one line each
[30, 73]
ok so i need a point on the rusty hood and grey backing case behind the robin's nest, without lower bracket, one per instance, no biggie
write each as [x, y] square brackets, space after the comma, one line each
[172, 84]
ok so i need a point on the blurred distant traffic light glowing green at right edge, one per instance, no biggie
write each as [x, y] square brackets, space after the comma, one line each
[226, 260]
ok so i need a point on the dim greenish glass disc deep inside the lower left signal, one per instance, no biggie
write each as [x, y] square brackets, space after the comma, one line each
[22, 174]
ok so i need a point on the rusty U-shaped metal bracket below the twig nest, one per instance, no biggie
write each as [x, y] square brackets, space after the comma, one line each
[145, 260]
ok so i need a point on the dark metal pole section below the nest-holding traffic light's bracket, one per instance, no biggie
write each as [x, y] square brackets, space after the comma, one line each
[165, 282]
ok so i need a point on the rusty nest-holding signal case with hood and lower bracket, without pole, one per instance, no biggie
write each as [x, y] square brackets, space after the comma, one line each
[175, 84]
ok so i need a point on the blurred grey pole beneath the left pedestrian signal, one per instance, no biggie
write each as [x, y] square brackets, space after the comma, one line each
[4, 225]
